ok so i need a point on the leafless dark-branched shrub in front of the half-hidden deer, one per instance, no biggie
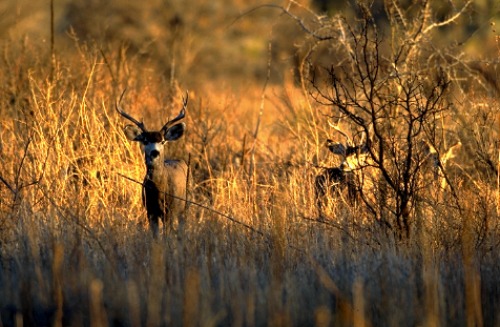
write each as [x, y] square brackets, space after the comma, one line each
[386, 89]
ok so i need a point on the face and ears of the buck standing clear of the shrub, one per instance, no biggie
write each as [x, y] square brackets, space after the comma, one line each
[153, 143]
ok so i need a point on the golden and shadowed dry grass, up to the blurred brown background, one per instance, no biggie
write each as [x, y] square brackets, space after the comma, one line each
[75, 248]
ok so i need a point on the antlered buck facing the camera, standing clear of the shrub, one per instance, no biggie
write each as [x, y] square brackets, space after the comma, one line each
[165, 182]
